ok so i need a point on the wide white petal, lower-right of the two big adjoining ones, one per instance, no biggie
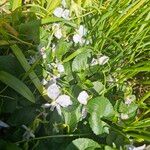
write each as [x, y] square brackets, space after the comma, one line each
[64, 100]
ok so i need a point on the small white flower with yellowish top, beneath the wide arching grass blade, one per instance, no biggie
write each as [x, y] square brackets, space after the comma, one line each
[57, 31]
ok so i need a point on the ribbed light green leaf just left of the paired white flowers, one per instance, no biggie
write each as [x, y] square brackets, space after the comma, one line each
[81, 61]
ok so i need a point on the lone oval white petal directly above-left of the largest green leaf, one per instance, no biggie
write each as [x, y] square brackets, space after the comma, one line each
[83, 97]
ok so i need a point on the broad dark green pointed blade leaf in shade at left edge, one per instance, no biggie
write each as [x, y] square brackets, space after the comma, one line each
[17, 85]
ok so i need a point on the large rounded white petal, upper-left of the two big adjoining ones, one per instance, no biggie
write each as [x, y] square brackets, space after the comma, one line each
[53, 91]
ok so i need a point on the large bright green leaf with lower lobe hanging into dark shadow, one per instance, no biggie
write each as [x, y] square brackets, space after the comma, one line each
[100, 108]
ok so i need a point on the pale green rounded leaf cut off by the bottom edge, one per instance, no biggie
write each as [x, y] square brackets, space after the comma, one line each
[82, 144]
